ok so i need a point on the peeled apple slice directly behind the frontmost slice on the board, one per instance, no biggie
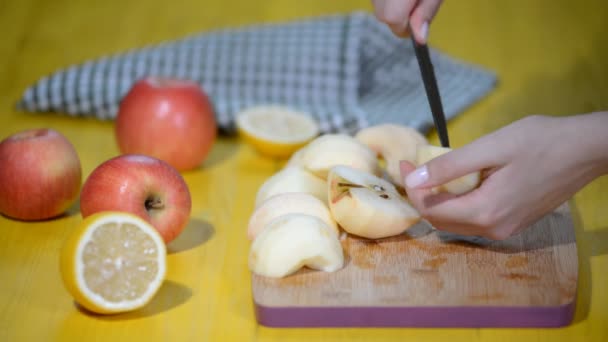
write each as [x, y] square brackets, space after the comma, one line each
[289, 203]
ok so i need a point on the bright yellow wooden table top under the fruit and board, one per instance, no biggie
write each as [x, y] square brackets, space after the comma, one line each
[551, 57]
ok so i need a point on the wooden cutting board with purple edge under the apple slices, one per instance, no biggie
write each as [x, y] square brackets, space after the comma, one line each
[428, 278]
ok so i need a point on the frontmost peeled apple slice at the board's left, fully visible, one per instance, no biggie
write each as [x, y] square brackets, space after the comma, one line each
[292, 241]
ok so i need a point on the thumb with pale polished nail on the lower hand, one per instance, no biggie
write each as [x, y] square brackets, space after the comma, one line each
[474, 157]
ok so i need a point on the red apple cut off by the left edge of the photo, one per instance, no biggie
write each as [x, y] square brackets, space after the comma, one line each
[40, 174]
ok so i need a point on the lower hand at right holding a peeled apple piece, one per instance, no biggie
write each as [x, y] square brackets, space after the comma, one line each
[530, 166]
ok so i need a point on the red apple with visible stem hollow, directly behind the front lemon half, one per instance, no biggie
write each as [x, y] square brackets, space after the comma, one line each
[144, 186]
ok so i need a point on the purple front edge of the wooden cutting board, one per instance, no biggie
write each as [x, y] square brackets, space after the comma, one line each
[431, 317]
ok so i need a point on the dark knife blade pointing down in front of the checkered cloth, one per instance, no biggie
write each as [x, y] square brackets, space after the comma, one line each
[432, 91]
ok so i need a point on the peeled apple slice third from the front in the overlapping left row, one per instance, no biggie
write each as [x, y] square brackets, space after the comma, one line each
[292, 179]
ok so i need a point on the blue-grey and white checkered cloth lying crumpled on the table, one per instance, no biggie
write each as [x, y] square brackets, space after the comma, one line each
[348, 71]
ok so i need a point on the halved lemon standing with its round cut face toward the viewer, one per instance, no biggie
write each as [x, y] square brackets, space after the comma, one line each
[113, 262]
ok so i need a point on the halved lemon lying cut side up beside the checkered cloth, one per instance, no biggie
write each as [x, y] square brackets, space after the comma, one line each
[276, 131]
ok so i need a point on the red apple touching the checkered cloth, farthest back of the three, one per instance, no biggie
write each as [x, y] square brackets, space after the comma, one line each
[169, 119]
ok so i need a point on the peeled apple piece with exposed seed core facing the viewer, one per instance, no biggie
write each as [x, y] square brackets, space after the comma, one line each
[368, 206]
